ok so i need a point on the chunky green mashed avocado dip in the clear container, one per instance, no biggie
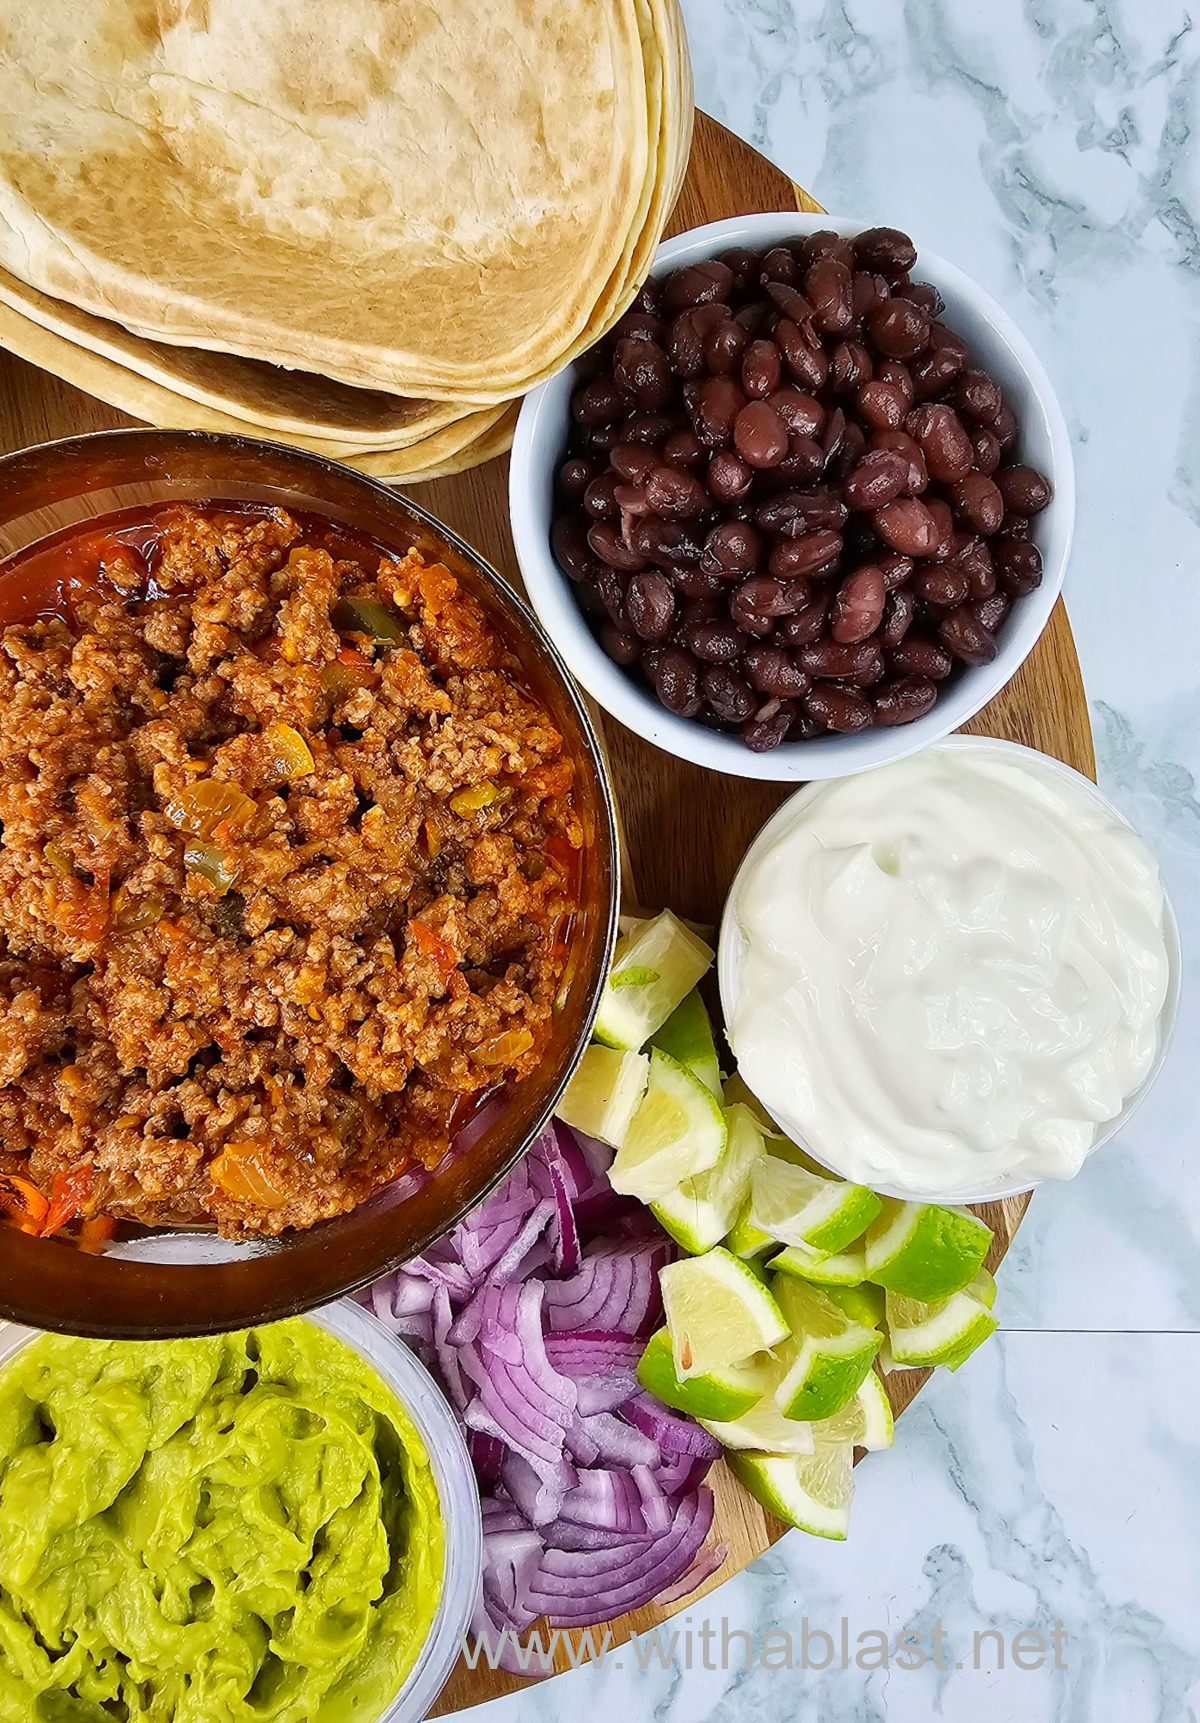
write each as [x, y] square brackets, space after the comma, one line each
[223, 1531]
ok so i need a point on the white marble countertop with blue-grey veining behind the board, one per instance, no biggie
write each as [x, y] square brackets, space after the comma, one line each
[1049, 147]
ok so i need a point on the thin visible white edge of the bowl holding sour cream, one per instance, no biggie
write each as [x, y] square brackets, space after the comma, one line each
[732, 950]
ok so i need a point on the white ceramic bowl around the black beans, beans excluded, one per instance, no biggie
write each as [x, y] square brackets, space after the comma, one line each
[996, 344]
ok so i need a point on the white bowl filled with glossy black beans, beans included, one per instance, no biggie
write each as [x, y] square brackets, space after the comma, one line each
[806, 509]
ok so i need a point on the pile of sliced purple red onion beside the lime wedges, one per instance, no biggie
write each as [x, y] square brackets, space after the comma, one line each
[534, 1312]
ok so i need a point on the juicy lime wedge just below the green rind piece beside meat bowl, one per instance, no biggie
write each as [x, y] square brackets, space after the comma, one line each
[677, 1133]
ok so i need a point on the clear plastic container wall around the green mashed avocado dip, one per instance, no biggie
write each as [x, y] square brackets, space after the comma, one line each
[454, 1476]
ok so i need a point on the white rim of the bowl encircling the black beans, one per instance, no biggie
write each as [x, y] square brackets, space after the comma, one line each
[551, 595]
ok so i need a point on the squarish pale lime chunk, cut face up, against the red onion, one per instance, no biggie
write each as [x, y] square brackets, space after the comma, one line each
[718, 1314]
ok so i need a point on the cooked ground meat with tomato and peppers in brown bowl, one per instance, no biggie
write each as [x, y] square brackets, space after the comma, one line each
[287, 871]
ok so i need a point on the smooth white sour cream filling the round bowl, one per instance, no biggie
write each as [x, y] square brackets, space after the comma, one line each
[946, 976]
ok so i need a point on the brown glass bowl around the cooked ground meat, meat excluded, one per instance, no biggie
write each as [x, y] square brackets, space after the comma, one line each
[194, 1283]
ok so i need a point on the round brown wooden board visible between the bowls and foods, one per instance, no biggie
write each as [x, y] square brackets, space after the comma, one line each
[1044, 707]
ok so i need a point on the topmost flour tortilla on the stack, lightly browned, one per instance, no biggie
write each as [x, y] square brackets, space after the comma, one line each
[406, 197]
